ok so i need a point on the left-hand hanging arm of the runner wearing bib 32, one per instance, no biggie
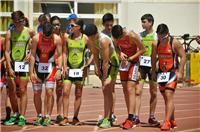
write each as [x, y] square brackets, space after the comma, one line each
[33, 53]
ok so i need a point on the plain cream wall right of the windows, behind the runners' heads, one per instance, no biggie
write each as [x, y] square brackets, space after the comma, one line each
[180, 17]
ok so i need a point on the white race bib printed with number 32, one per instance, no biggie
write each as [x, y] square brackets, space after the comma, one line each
[45, 67]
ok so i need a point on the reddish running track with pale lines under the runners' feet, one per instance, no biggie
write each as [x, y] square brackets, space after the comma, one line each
[187, 113]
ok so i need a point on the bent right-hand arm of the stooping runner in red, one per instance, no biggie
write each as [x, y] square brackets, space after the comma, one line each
[136, 39]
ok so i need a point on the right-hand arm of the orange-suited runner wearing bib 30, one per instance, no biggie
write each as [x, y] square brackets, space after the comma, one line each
[181, 53]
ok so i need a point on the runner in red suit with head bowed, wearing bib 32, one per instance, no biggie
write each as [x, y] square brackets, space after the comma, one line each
[43, 69]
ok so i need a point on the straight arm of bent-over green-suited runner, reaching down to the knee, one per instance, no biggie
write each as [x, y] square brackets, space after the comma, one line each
[105, 47]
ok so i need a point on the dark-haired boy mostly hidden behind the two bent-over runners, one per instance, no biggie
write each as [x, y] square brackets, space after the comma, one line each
[108, 21]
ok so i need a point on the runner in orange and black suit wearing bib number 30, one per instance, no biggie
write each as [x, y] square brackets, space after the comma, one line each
[168, 48]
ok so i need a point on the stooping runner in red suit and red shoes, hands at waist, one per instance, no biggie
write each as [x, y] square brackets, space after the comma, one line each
[130, 49]
